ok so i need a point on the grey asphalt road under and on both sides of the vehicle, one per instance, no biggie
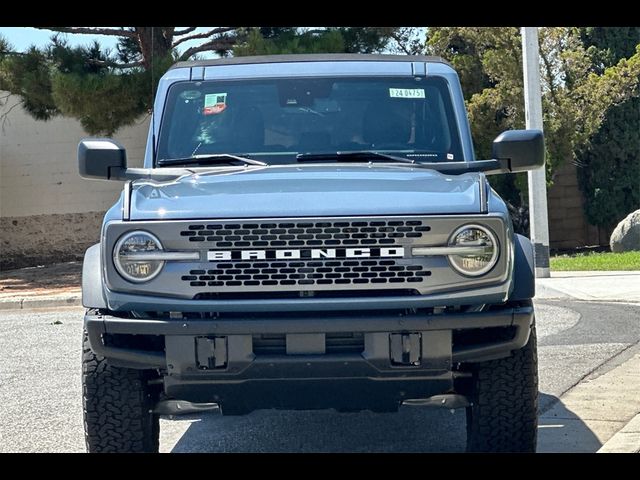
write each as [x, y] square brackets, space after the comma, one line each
[40, 399]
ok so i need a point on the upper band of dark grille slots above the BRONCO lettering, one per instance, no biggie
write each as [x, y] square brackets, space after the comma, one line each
[305, 234]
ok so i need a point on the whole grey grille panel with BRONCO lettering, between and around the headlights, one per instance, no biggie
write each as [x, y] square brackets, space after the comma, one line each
[316, 256]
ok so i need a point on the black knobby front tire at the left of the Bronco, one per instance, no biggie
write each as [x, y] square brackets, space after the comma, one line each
[117, 406]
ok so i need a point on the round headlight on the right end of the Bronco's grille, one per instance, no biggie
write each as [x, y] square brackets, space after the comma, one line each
[483, 245]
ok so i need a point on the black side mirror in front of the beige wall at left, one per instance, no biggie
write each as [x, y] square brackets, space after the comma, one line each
[101, 158]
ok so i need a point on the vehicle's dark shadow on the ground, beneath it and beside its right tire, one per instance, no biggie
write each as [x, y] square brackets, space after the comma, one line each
[413, 429]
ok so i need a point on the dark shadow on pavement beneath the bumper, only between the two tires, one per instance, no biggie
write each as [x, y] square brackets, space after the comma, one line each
[413, 429]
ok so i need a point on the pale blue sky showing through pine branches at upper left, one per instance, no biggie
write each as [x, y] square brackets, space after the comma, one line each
[21, 38]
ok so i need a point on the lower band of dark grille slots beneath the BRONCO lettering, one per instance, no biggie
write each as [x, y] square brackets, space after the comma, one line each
[332, 272]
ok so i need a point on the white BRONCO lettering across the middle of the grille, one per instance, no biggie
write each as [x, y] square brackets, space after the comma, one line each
[314, 253]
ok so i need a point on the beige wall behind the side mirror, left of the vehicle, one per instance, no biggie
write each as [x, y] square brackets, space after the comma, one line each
[47, 212]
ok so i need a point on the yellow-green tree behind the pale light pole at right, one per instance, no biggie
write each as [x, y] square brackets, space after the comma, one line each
[576, 96]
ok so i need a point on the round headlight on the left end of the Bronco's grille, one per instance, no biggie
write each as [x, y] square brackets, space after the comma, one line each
[133, 256]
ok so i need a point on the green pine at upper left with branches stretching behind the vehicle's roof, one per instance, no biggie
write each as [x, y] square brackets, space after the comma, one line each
[106, 90]
